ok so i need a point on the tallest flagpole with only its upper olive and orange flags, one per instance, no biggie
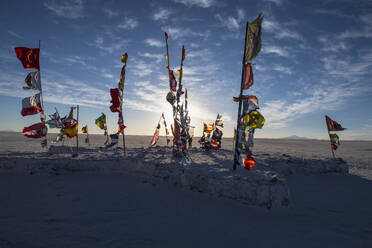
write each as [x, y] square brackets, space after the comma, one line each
[252, 47]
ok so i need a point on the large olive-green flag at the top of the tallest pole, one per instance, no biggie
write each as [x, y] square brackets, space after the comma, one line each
[253, 39]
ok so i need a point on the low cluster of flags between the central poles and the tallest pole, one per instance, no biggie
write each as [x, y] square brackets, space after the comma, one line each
[215, 141]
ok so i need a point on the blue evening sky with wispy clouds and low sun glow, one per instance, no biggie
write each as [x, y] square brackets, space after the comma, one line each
[316, 60]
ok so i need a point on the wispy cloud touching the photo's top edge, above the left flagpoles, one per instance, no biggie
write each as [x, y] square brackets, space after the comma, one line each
[70, 9]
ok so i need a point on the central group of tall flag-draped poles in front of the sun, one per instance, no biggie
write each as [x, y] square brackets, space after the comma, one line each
[182, 131]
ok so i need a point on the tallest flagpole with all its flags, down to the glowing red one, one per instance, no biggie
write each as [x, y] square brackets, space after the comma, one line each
[249, 118]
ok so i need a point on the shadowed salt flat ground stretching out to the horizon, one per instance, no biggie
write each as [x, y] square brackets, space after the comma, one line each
[53, 200]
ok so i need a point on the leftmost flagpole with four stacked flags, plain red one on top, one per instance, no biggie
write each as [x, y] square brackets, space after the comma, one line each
[32, 105]
